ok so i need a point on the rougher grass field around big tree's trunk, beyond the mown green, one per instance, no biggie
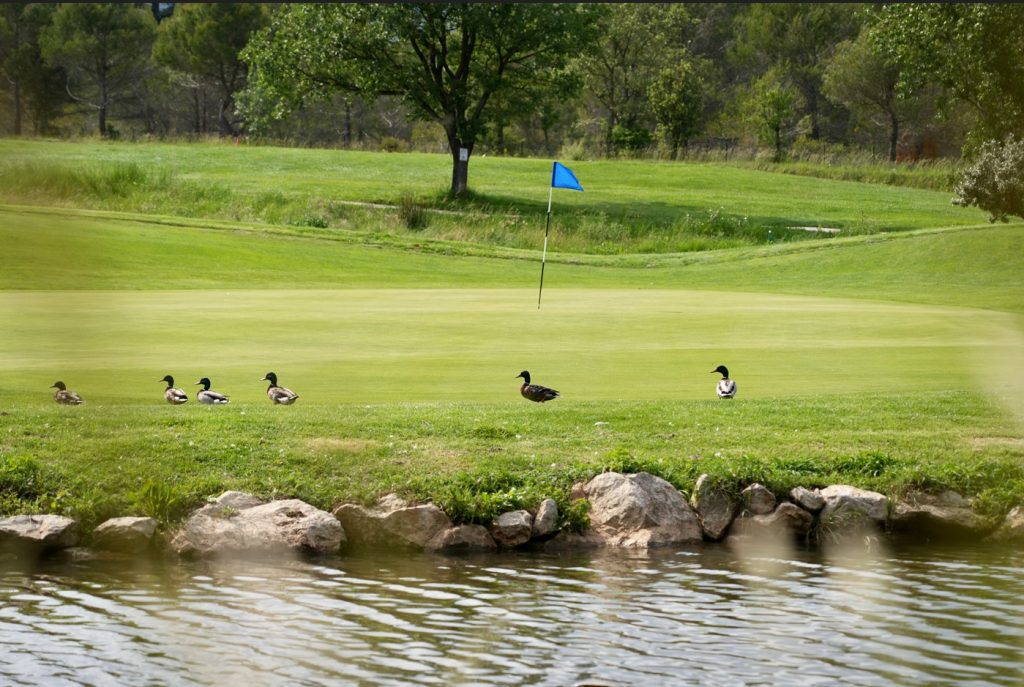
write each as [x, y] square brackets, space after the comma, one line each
[629, 206]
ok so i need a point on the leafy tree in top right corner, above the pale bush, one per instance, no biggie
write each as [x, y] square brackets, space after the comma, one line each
[974, 51]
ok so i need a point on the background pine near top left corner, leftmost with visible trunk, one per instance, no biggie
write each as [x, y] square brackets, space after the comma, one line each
[104, 50]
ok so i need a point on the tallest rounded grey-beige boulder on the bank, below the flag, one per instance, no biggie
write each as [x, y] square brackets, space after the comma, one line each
[639, 510]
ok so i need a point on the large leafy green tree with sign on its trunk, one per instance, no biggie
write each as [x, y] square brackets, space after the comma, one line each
[448, 62]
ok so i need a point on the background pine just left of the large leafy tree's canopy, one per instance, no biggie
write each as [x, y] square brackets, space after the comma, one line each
[204, 41]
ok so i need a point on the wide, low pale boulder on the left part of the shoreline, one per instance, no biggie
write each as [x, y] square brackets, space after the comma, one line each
[279, 526]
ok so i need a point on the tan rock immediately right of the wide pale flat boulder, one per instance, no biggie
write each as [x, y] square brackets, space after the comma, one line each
[393, 523]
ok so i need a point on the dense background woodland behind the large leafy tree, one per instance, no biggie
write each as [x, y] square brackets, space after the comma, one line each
[900, 81]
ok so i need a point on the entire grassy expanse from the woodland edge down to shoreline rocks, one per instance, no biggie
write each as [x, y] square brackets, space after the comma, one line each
[889, 361]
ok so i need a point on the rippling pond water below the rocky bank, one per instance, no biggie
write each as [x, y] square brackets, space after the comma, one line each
[708, 617]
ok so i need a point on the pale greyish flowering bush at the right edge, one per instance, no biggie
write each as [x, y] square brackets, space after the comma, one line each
[996, 182]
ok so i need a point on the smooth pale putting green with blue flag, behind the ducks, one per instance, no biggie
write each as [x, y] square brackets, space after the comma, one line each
[377, 346]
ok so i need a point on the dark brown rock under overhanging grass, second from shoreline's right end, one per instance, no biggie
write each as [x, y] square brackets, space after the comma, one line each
[946, 517]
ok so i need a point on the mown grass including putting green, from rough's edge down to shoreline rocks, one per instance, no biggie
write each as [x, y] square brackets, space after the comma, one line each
[833, 388]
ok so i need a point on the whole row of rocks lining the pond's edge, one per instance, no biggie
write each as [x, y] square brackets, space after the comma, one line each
[626, 511]
